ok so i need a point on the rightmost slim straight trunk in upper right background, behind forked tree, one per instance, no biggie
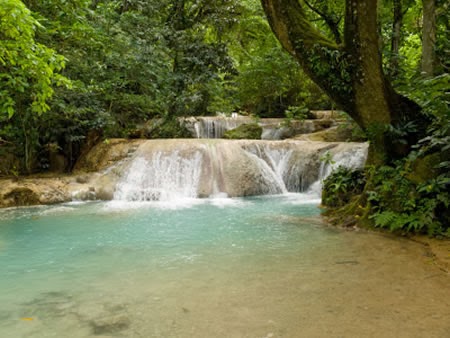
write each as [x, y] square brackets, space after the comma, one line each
[428, 36]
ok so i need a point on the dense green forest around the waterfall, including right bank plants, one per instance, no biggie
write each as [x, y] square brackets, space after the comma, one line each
[73, 72]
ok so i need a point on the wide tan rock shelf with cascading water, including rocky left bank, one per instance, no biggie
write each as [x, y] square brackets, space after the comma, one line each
[174, 169]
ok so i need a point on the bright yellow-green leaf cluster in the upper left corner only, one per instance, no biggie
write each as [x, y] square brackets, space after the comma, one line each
[28, 69]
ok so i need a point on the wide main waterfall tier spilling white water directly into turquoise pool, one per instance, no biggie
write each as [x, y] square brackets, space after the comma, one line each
[178, 168]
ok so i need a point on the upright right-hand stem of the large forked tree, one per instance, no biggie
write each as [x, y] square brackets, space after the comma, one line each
[370, 90]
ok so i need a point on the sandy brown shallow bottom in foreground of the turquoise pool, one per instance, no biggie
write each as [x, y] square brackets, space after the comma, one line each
[351, 284]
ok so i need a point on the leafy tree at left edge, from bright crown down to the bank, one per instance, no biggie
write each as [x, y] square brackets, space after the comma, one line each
[29, 70]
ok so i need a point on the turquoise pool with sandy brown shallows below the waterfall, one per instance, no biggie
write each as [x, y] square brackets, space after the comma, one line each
[258, 267]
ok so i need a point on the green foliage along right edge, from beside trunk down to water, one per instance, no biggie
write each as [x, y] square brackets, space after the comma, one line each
[407, 197]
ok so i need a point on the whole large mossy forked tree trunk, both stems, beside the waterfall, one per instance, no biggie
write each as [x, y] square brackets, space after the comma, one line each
[351, 74]
